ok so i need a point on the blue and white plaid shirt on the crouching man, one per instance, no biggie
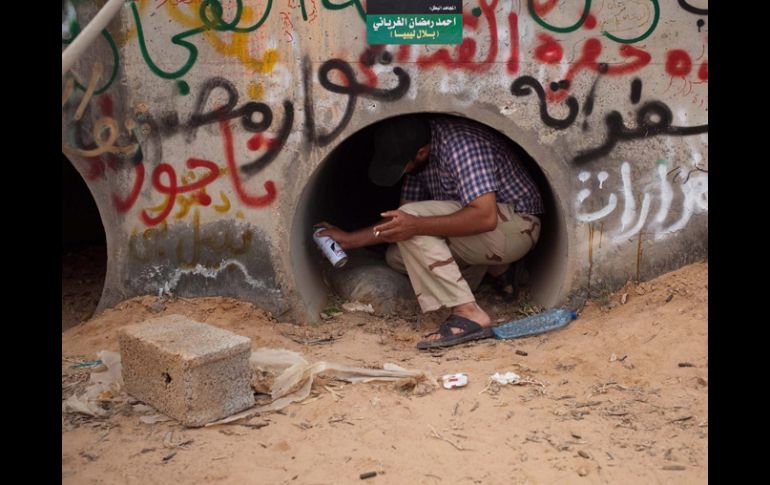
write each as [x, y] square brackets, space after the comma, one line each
[469, 160]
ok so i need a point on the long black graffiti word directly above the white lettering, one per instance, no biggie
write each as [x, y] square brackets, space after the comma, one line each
[652, 119]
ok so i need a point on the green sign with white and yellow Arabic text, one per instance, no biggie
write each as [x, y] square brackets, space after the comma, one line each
[414, 28]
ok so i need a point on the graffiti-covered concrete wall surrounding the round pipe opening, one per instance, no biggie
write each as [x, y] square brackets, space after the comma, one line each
[198, 130]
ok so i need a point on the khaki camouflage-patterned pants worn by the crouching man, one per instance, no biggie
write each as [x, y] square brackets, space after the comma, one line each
[443, 271]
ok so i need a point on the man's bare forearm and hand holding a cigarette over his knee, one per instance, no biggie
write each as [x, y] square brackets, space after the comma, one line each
[477, 217]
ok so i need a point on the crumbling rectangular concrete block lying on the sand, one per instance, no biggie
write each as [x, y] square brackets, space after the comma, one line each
[190, 371]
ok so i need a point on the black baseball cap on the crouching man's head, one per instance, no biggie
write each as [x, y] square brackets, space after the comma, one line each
[396, 142]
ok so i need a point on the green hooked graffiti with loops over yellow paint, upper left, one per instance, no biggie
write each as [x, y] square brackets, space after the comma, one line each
[215, 22]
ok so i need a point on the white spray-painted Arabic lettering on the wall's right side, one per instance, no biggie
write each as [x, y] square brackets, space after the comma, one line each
[693, 186]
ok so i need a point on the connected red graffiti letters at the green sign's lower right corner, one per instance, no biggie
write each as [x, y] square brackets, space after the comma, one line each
[467, 49]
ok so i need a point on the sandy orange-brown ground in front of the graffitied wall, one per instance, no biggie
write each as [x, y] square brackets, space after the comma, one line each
[618, 396]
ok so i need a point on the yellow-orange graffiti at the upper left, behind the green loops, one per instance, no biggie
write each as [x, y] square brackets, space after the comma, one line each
[239, 41]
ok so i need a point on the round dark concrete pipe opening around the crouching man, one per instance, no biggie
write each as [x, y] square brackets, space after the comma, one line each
[341, 193]
